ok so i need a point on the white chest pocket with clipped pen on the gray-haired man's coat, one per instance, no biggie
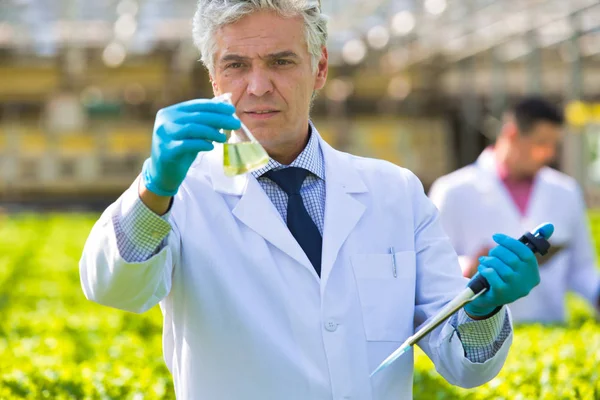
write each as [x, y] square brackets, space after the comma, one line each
[386, 288]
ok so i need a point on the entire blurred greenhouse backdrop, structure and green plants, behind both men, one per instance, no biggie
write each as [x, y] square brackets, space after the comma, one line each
[421, 83]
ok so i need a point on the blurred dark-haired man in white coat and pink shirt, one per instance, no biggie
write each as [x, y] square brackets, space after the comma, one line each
[510, 187]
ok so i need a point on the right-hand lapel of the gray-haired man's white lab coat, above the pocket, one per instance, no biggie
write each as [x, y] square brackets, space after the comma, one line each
[342, 210]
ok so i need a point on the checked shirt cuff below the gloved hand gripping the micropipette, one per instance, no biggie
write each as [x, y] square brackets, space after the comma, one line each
[481, 339]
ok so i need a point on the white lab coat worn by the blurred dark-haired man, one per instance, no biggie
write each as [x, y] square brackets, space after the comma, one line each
[474, 204]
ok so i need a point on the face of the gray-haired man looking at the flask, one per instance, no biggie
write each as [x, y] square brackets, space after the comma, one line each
[263, 60]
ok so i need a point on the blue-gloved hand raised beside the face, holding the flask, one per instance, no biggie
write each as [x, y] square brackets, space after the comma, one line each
[180, 132]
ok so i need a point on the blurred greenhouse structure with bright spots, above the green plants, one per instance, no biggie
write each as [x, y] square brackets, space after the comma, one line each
[419, 83]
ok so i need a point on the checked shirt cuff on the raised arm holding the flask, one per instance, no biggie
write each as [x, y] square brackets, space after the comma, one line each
[140, 232]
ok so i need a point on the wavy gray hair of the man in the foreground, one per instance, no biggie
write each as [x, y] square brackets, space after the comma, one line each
[213, 14]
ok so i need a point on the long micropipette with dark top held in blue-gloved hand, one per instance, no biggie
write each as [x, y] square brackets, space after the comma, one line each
[537, 242]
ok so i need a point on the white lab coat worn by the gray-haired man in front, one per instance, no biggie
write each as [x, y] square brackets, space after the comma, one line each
[246, 316]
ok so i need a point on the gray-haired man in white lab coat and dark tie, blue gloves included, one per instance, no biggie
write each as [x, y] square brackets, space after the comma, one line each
[296, 280]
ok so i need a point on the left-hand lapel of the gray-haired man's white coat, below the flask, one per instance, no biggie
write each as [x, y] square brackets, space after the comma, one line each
[256, 210]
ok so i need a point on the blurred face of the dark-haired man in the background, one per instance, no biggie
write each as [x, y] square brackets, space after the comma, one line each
[536, 148]
